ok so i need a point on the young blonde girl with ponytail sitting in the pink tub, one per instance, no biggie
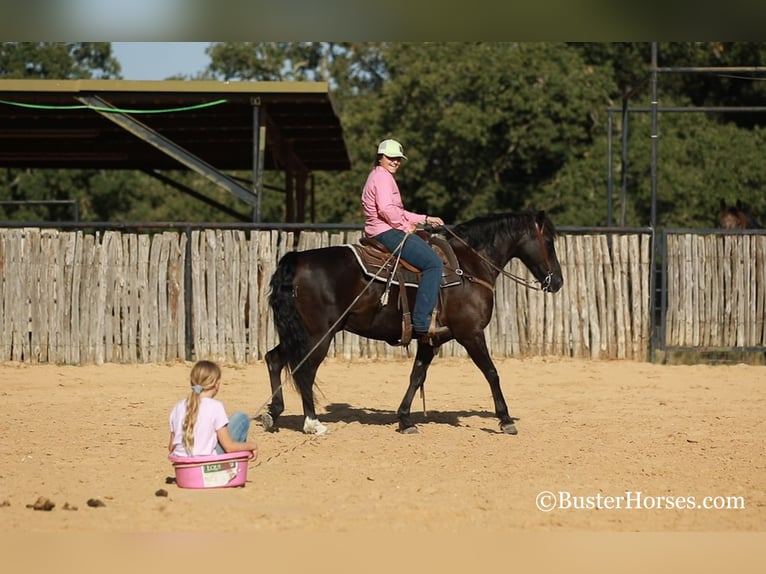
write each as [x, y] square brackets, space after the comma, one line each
[199, 425]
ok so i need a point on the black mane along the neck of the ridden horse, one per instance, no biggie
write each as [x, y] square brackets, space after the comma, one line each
[484, 230]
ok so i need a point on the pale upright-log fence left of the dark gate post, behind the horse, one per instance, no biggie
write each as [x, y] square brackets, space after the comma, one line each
[114, 296]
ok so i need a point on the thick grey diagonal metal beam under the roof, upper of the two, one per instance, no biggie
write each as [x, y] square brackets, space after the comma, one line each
[170, 148]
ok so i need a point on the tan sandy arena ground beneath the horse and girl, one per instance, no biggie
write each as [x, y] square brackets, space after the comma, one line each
[588, 432]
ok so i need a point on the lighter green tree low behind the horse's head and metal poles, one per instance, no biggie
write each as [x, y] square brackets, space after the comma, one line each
[700, 162]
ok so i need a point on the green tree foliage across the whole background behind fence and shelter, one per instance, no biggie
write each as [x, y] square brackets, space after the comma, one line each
[487, 127]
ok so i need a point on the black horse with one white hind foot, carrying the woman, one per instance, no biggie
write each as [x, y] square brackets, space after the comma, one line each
[318, 292]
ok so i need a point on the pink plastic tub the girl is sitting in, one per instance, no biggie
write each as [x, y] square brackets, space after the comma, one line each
[213, 471]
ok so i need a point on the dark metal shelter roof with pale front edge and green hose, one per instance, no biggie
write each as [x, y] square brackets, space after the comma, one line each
[47, 124]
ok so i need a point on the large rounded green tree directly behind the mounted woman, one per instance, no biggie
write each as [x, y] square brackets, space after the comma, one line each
[483, 124]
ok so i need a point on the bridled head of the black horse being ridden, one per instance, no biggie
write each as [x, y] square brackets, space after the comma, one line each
[538, 252]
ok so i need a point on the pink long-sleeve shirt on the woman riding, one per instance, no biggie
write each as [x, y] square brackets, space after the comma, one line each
[383, 206]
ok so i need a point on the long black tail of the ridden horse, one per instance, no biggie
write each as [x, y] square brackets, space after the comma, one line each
[293, 339]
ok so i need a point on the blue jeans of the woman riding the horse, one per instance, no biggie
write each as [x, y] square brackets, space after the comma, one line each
[418, 253]
